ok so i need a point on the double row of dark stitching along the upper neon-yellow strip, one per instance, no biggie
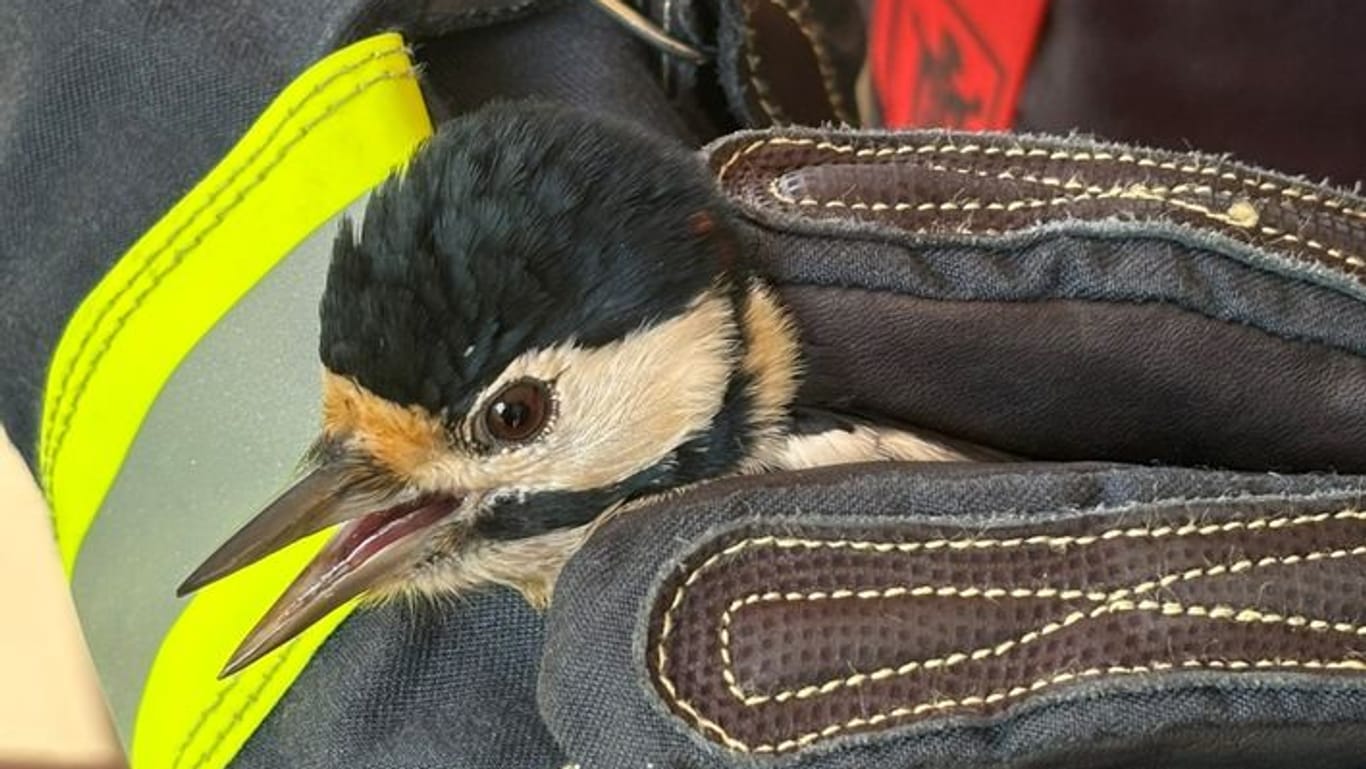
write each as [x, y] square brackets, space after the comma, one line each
[64, 423]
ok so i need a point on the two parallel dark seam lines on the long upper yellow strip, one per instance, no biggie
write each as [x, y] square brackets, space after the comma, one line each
[178, 257]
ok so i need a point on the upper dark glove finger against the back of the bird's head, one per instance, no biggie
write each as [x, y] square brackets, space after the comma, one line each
[1066, 300]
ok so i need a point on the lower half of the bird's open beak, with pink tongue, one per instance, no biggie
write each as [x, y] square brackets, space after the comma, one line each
[363, 554]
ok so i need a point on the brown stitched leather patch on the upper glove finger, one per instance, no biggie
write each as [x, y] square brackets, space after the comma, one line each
[987, 185]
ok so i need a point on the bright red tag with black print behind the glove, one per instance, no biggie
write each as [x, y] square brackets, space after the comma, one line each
[951, 64]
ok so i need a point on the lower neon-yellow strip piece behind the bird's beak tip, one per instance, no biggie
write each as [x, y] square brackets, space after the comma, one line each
[191, 721]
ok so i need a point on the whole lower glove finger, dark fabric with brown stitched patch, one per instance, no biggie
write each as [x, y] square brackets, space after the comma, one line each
[947, 617]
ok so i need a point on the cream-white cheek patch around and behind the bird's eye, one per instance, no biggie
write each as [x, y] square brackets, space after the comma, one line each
[619, 409]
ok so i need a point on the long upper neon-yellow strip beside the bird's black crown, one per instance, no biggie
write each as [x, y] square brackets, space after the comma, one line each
[331, 136]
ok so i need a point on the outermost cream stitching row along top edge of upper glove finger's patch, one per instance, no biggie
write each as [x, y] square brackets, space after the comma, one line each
[1335, 206]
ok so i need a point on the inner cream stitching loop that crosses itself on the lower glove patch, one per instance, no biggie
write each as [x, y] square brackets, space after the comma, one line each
[1114, 602]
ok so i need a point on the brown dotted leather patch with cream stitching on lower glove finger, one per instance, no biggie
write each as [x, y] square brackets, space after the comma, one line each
[777, 639]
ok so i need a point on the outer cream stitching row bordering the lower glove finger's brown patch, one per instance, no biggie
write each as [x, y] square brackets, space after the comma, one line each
[1065, 542]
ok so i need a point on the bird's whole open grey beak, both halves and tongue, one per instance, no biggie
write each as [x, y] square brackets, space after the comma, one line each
[375, 544]
